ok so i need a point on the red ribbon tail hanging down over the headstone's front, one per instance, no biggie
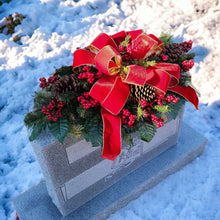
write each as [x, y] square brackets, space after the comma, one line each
[111, 135]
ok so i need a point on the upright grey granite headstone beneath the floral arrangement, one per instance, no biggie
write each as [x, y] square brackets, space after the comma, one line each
[75, 173]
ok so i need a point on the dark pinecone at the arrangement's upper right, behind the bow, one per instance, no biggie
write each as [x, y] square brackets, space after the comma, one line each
[173, 51]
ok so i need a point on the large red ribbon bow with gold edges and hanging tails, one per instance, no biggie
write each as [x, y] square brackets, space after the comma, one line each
[112, 90]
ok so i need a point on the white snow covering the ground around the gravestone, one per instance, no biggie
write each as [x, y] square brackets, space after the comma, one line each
[50, 34]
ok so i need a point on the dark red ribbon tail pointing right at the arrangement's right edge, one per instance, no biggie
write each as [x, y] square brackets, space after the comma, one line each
[188, 93]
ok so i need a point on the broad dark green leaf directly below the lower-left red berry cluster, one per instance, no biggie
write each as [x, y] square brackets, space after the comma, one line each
[59, 128]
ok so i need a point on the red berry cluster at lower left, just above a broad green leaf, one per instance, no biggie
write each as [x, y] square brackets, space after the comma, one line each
[53, 110]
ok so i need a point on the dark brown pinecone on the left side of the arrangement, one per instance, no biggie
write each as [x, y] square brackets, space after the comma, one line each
[68, 83]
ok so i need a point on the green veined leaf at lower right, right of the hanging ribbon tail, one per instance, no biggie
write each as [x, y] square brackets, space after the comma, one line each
[147, 132]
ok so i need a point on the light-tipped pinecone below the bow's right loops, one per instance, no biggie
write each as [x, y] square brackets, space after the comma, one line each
[138, 93]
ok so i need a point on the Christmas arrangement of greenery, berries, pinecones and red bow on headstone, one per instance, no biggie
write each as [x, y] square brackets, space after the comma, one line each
[117, 85]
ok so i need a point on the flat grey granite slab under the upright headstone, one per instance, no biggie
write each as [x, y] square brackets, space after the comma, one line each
[36, 204]
